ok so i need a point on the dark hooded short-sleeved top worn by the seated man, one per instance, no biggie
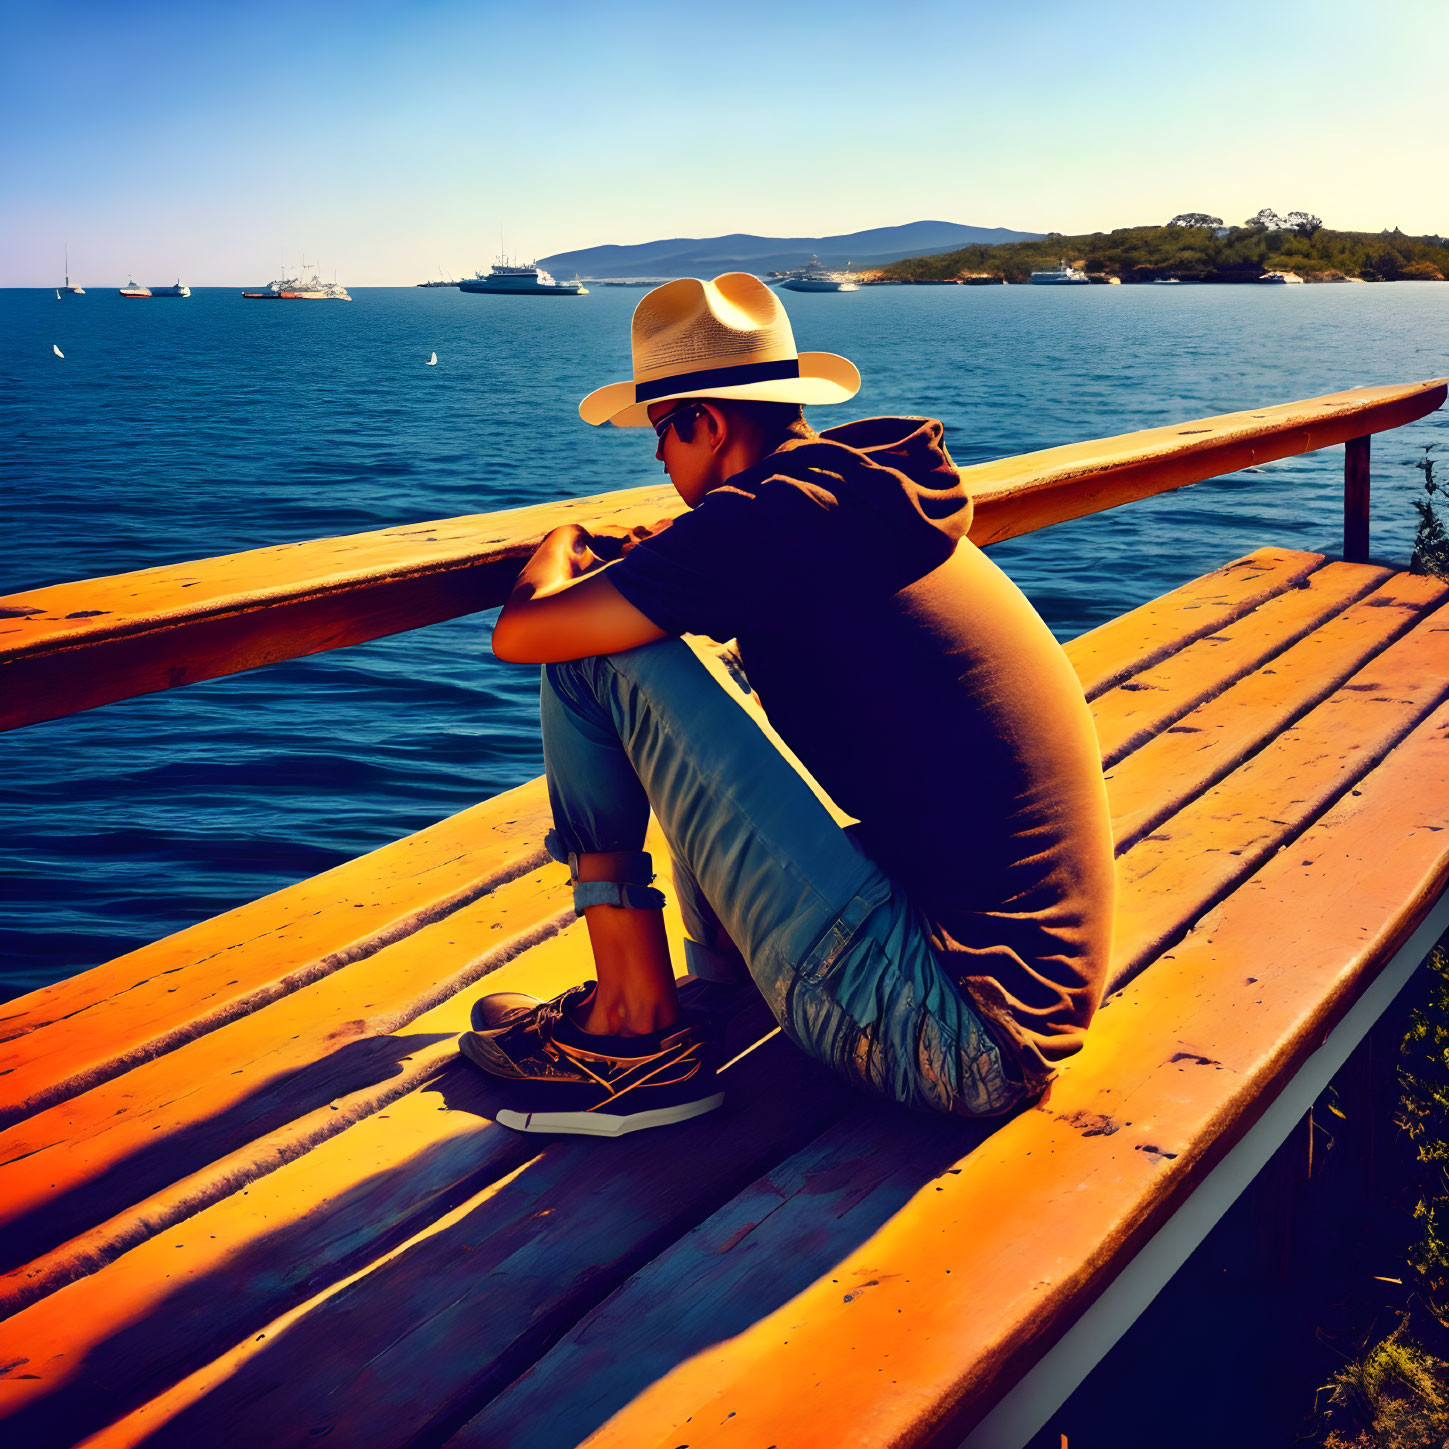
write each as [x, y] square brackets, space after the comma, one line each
[918, 685]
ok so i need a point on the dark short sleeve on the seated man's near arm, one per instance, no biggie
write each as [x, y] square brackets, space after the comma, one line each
[731, 564]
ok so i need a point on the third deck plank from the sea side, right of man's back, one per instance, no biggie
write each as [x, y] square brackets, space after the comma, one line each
[1205, 746]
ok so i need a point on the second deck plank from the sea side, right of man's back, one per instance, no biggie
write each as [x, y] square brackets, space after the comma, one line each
[1141, 708]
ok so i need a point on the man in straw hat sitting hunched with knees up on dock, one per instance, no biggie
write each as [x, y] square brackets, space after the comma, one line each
[950, 947]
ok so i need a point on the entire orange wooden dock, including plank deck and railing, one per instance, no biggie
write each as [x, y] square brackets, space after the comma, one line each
[251, 1196]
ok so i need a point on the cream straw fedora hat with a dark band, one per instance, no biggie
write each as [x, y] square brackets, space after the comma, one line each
[724, 338]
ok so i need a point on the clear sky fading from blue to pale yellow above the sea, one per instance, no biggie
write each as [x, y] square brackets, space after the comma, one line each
[391, 143]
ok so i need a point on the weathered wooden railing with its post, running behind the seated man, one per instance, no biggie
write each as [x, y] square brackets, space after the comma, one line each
[73, 647]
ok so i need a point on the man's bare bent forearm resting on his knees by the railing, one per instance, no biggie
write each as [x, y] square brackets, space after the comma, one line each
[564, 608]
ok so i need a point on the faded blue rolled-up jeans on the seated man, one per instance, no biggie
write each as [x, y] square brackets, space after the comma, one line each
[767, 877]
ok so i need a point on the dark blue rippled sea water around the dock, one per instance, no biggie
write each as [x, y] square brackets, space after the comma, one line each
[179, 430]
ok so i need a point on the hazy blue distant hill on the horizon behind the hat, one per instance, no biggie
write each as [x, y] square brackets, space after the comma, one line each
[708, 257]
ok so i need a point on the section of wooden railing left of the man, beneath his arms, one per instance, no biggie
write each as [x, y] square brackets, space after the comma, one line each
[73, 647]
